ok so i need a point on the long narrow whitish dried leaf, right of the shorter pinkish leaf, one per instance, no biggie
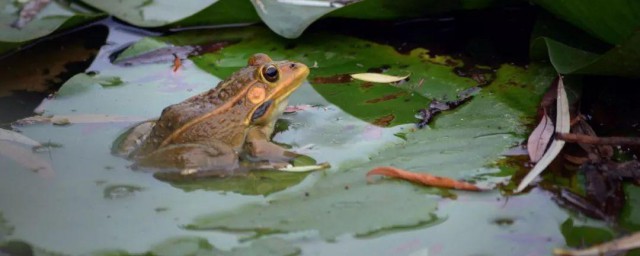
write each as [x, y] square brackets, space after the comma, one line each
[562, 125]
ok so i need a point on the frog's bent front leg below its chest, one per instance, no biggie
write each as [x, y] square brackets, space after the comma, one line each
[258, 146]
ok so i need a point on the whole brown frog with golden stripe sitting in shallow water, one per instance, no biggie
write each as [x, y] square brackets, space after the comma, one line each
[207, 134]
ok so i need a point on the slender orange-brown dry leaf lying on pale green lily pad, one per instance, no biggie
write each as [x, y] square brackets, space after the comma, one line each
[421, 178]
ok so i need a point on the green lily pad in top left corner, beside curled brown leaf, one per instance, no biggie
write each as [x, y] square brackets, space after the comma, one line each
[55, 16]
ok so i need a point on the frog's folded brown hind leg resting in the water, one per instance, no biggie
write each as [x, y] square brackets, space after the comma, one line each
[194, 160]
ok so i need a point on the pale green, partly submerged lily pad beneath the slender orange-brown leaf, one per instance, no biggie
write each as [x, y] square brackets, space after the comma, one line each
[458, 145]
